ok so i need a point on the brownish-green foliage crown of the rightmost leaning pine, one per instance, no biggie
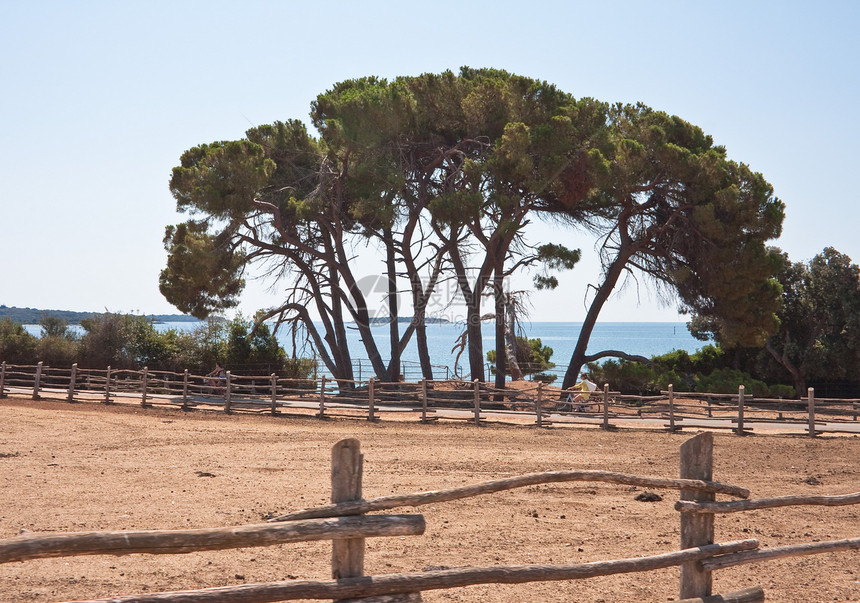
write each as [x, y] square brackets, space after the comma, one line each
[698, 222]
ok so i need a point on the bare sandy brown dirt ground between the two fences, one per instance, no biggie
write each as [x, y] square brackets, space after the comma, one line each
[86, 466]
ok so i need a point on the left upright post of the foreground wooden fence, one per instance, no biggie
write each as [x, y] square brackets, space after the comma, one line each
[347, 555]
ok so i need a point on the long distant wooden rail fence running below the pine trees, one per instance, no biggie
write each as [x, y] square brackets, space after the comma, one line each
[432, 400]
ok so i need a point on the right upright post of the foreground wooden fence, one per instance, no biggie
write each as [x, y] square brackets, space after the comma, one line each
[697, 529]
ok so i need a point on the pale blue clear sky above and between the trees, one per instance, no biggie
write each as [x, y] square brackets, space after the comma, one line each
[100, 99]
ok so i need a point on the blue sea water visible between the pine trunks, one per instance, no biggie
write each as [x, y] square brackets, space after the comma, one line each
[640, 338]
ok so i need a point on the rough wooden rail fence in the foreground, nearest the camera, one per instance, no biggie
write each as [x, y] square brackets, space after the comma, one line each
[345, 523]
